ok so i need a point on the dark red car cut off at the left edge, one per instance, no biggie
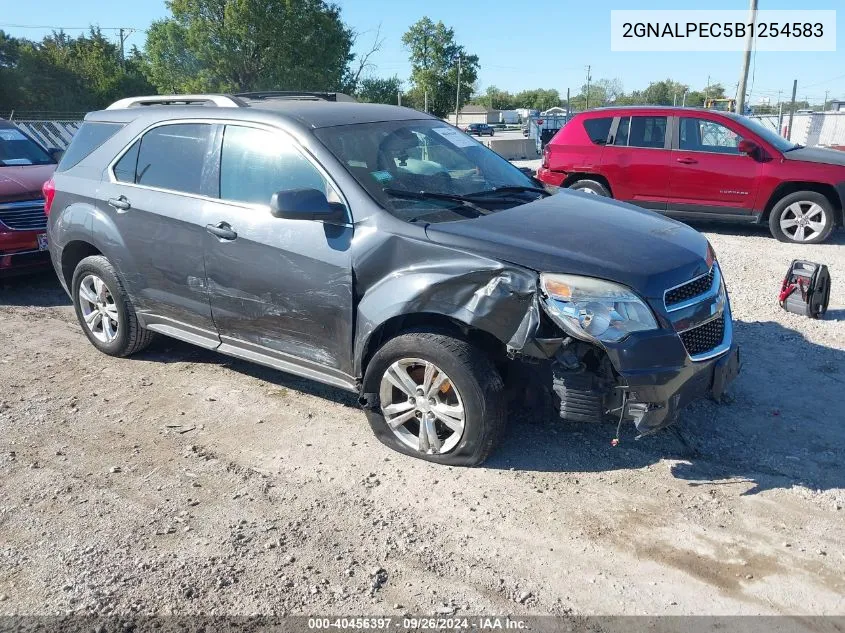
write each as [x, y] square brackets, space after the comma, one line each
[24, 167]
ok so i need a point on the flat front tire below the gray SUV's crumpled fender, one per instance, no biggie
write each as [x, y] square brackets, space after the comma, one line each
[471, 382]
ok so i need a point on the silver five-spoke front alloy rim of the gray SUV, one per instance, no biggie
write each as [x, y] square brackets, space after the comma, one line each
[422, 406]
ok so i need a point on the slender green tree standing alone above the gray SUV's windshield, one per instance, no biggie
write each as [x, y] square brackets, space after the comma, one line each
[434, 66]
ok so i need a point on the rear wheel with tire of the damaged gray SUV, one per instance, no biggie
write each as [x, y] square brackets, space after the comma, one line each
[128, 336]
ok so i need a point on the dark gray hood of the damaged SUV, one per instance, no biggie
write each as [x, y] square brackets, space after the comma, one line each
[578, 233]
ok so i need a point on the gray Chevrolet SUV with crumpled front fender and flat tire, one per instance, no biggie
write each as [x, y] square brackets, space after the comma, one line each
[380, 250]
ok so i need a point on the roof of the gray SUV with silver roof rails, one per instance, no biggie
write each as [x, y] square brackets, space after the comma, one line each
[310, 114]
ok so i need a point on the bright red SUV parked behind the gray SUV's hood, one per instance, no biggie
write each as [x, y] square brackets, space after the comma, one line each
[699, 164]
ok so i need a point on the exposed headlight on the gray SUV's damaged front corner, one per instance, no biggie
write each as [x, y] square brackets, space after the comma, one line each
[593, 309]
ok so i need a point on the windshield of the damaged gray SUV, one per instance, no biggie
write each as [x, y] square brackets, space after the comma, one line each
[426, 170]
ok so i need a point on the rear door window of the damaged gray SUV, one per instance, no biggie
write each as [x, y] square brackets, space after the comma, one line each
[177, 157]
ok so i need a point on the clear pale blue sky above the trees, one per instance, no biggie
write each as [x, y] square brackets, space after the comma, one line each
[520, 45]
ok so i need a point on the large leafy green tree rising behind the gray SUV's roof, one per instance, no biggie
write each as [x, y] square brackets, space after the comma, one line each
[243, 45]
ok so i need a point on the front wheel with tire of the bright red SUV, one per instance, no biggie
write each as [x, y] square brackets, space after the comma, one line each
[809, 205]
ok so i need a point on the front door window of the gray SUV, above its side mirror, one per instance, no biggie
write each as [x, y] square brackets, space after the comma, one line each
[255, 164]
